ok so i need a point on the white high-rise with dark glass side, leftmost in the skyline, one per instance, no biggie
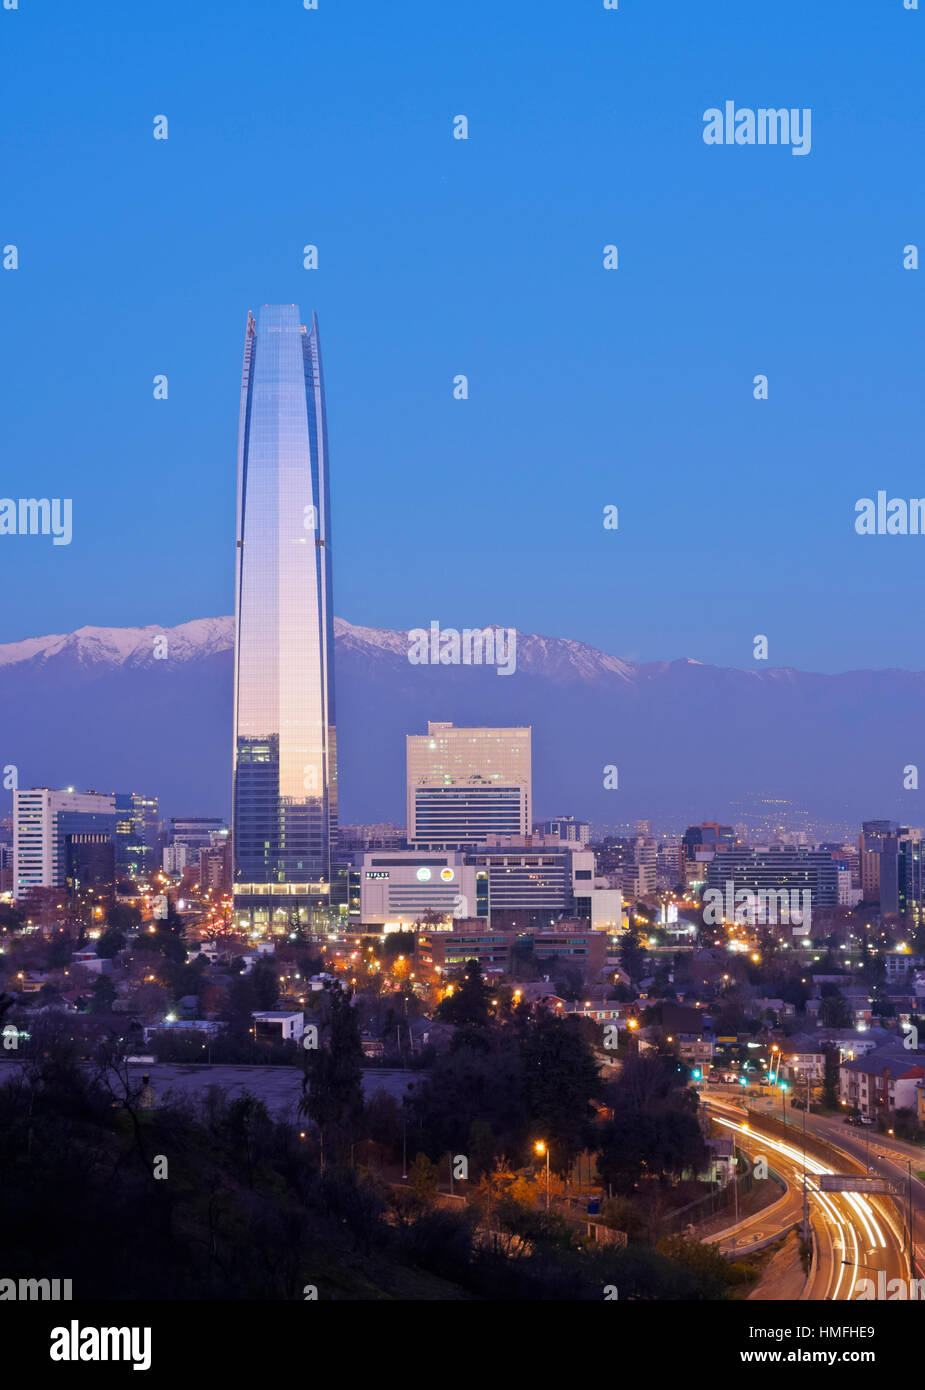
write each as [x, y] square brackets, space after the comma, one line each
[44, 822]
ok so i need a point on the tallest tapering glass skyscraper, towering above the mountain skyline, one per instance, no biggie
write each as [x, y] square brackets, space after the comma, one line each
[286, 750]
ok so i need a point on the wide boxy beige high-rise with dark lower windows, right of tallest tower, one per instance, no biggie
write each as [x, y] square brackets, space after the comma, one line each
[467, 785]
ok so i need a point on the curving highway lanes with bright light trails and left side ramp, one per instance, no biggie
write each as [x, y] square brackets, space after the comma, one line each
[858, 1236]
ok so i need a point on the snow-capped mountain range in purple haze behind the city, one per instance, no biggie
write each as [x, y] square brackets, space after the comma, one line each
[150, 710]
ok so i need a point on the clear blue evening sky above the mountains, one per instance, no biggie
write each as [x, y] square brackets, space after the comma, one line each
[440, 256]
